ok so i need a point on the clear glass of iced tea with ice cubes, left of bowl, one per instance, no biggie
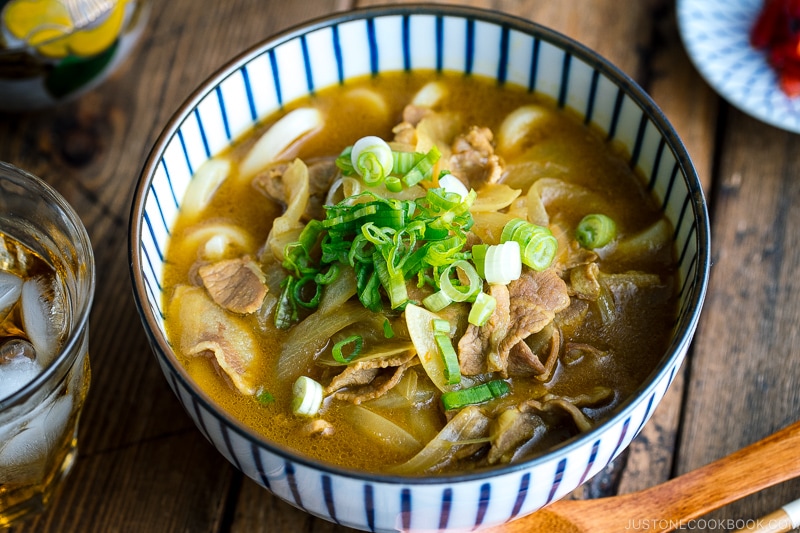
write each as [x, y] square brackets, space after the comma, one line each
[46, 291]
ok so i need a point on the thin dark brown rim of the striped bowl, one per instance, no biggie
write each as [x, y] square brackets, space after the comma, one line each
[679, 344]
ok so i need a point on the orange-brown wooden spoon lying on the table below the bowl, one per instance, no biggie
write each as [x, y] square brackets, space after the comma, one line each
[672, 504]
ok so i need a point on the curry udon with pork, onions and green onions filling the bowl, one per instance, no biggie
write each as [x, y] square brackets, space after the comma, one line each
[420, 273]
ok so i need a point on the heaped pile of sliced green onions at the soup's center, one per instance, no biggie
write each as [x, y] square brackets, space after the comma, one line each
[387, 241]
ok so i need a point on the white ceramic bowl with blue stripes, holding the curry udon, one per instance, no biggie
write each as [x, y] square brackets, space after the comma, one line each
[329, 51]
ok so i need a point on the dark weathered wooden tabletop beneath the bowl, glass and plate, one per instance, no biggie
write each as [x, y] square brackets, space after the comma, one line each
[144, 467]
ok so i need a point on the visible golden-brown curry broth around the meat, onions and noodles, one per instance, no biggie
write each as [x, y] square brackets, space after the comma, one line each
[568, 144]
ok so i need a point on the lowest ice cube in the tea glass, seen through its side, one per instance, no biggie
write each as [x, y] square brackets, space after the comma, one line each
[24, 454]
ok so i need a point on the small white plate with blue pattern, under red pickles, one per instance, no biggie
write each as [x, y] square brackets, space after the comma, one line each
[716, 35]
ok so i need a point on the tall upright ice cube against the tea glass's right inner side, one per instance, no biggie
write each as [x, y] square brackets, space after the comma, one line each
[43, 316]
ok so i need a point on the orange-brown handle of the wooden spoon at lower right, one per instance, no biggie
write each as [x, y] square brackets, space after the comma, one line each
[728, 479]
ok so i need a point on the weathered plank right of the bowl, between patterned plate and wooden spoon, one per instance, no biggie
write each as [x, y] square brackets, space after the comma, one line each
[745, 370]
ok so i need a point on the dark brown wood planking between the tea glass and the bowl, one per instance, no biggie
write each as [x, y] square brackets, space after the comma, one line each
[142, 464]
